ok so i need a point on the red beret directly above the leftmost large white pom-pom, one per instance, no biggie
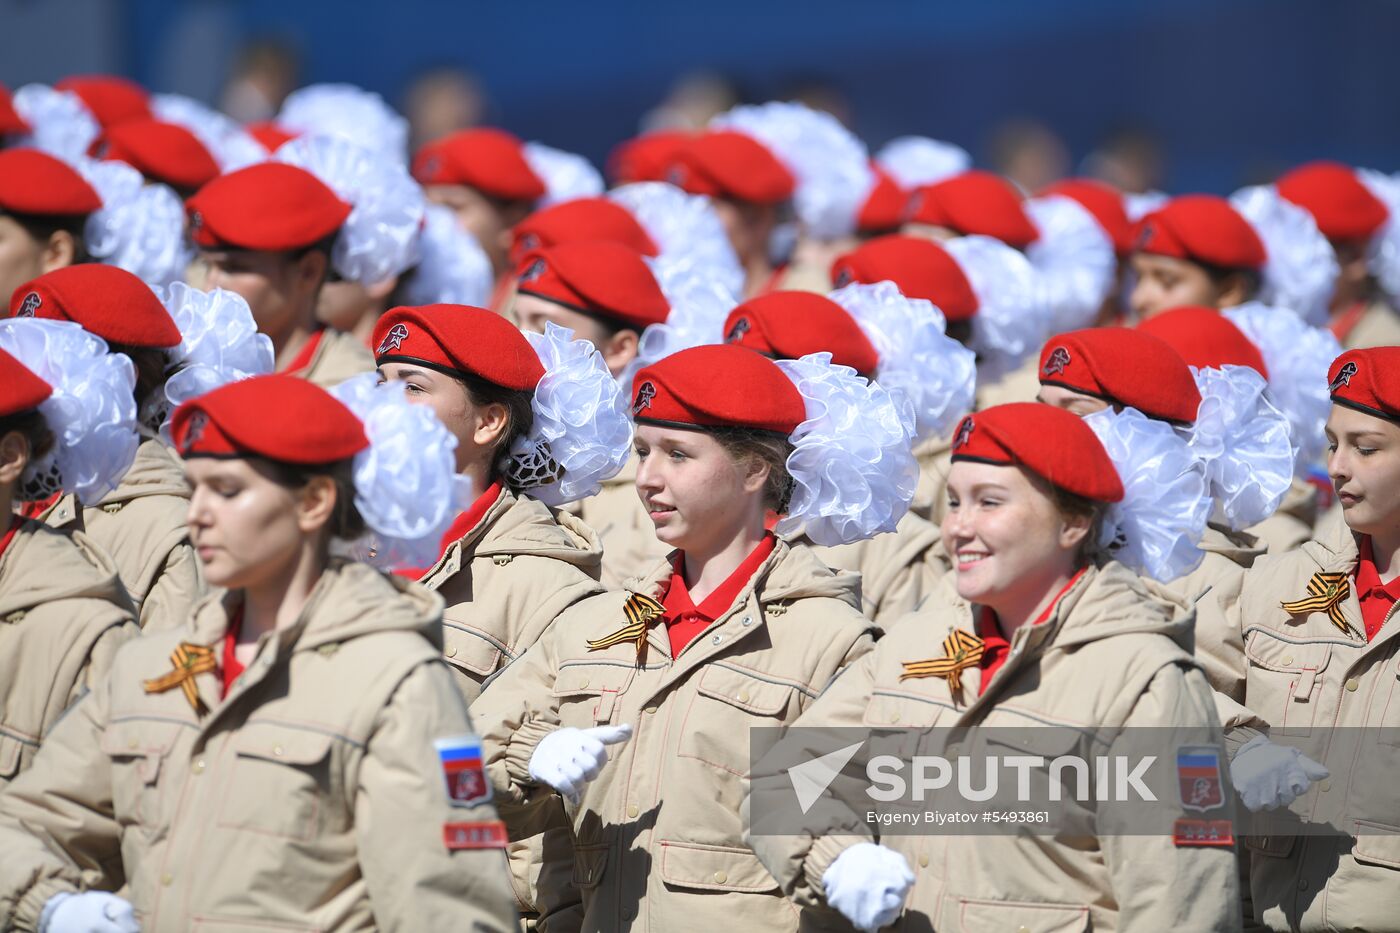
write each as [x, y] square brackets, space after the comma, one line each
[108, 302]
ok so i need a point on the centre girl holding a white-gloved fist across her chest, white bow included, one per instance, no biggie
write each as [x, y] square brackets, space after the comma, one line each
[737, 630]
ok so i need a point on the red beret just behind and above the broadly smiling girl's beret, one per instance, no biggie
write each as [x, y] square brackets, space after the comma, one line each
[1123, 366]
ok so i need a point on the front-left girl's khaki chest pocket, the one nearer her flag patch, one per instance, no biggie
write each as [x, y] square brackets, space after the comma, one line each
[283, 784]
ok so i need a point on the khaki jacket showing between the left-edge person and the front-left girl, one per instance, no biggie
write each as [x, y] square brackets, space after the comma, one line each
[142, 526]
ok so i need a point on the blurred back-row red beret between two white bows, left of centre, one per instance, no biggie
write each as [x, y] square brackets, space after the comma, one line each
[489, 160]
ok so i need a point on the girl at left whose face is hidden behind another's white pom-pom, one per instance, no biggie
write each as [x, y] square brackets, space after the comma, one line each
[191, 344]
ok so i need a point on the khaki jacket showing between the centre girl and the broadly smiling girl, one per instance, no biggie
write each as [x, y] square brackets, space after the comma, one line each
[898, 569]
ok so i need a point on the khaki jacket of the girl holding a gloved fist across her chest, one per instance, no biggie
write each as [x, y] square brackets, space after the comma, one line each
[660, 840]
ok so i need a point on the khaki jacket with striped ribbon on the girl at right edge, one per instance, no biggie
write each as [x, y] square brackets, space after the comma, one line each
[1307, 682]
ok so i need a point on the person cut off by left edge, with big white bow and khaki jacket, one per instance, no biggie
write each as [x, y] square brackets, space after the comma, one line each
[64, 611]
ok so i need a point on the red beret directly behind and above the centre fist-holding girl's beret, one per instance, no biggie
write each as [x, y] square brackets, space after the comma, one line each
[789, 326]
